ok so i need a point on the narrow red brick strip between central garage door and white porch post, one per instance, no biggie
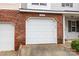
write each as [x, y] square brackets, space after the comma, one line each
[60, 29]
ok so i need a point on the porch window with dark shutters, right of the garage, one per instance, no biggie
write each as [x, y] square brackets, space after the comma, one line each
[73, 26]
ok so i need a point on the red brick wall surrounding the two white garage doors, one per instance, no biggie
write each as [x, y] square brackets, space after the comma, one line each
[19, 18]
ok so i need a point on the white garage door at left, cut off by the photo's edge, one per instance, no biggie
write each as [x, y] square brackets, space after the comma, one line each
[6, 37]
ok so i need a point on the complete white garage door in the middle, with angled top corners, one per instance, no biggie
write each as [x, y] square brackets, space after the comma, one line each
[41, 31]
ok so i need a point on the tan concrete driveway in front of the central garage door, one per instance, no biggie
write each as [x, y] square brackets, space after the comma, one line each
[45, 50]
